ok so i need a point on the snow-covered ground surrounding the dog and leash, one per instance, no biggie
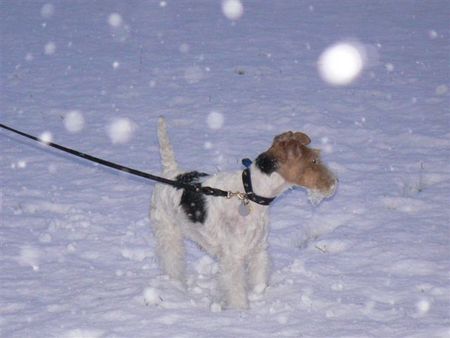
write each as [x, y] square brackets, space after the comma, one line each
[77, 251]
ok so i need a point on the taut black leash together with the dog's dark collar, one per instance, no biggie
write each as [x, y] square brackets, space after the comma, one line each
[194, 187]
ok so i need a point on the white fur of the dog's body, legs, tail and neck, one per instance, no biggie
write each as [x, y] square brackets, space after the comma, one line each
[239, 243]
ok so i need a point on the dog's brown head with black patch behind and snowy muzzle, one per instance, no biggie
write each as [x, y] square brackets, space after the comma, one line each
[299, 165]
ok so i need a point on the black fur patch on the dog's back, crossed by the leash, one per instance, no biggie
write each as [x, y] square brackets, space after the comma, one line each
[193, 203]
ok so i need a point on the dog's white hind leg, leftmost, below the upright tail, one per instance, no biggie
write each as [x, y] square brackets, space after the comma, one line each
[170, 247]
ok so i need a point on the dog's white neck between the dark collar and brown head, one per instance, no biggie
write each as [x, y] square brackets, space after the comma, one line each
[267, 185]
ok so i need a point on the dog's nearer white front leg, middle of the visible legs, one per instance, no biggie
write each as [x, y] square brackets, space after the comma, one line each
[232, 277]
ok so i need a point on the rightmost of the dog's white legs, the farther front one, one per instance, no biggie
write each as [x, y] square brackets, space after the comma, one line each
[258, 269]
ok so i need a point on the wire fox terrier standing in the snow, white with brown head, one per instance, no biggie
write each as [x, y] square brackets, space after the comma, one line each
[233, 230]
